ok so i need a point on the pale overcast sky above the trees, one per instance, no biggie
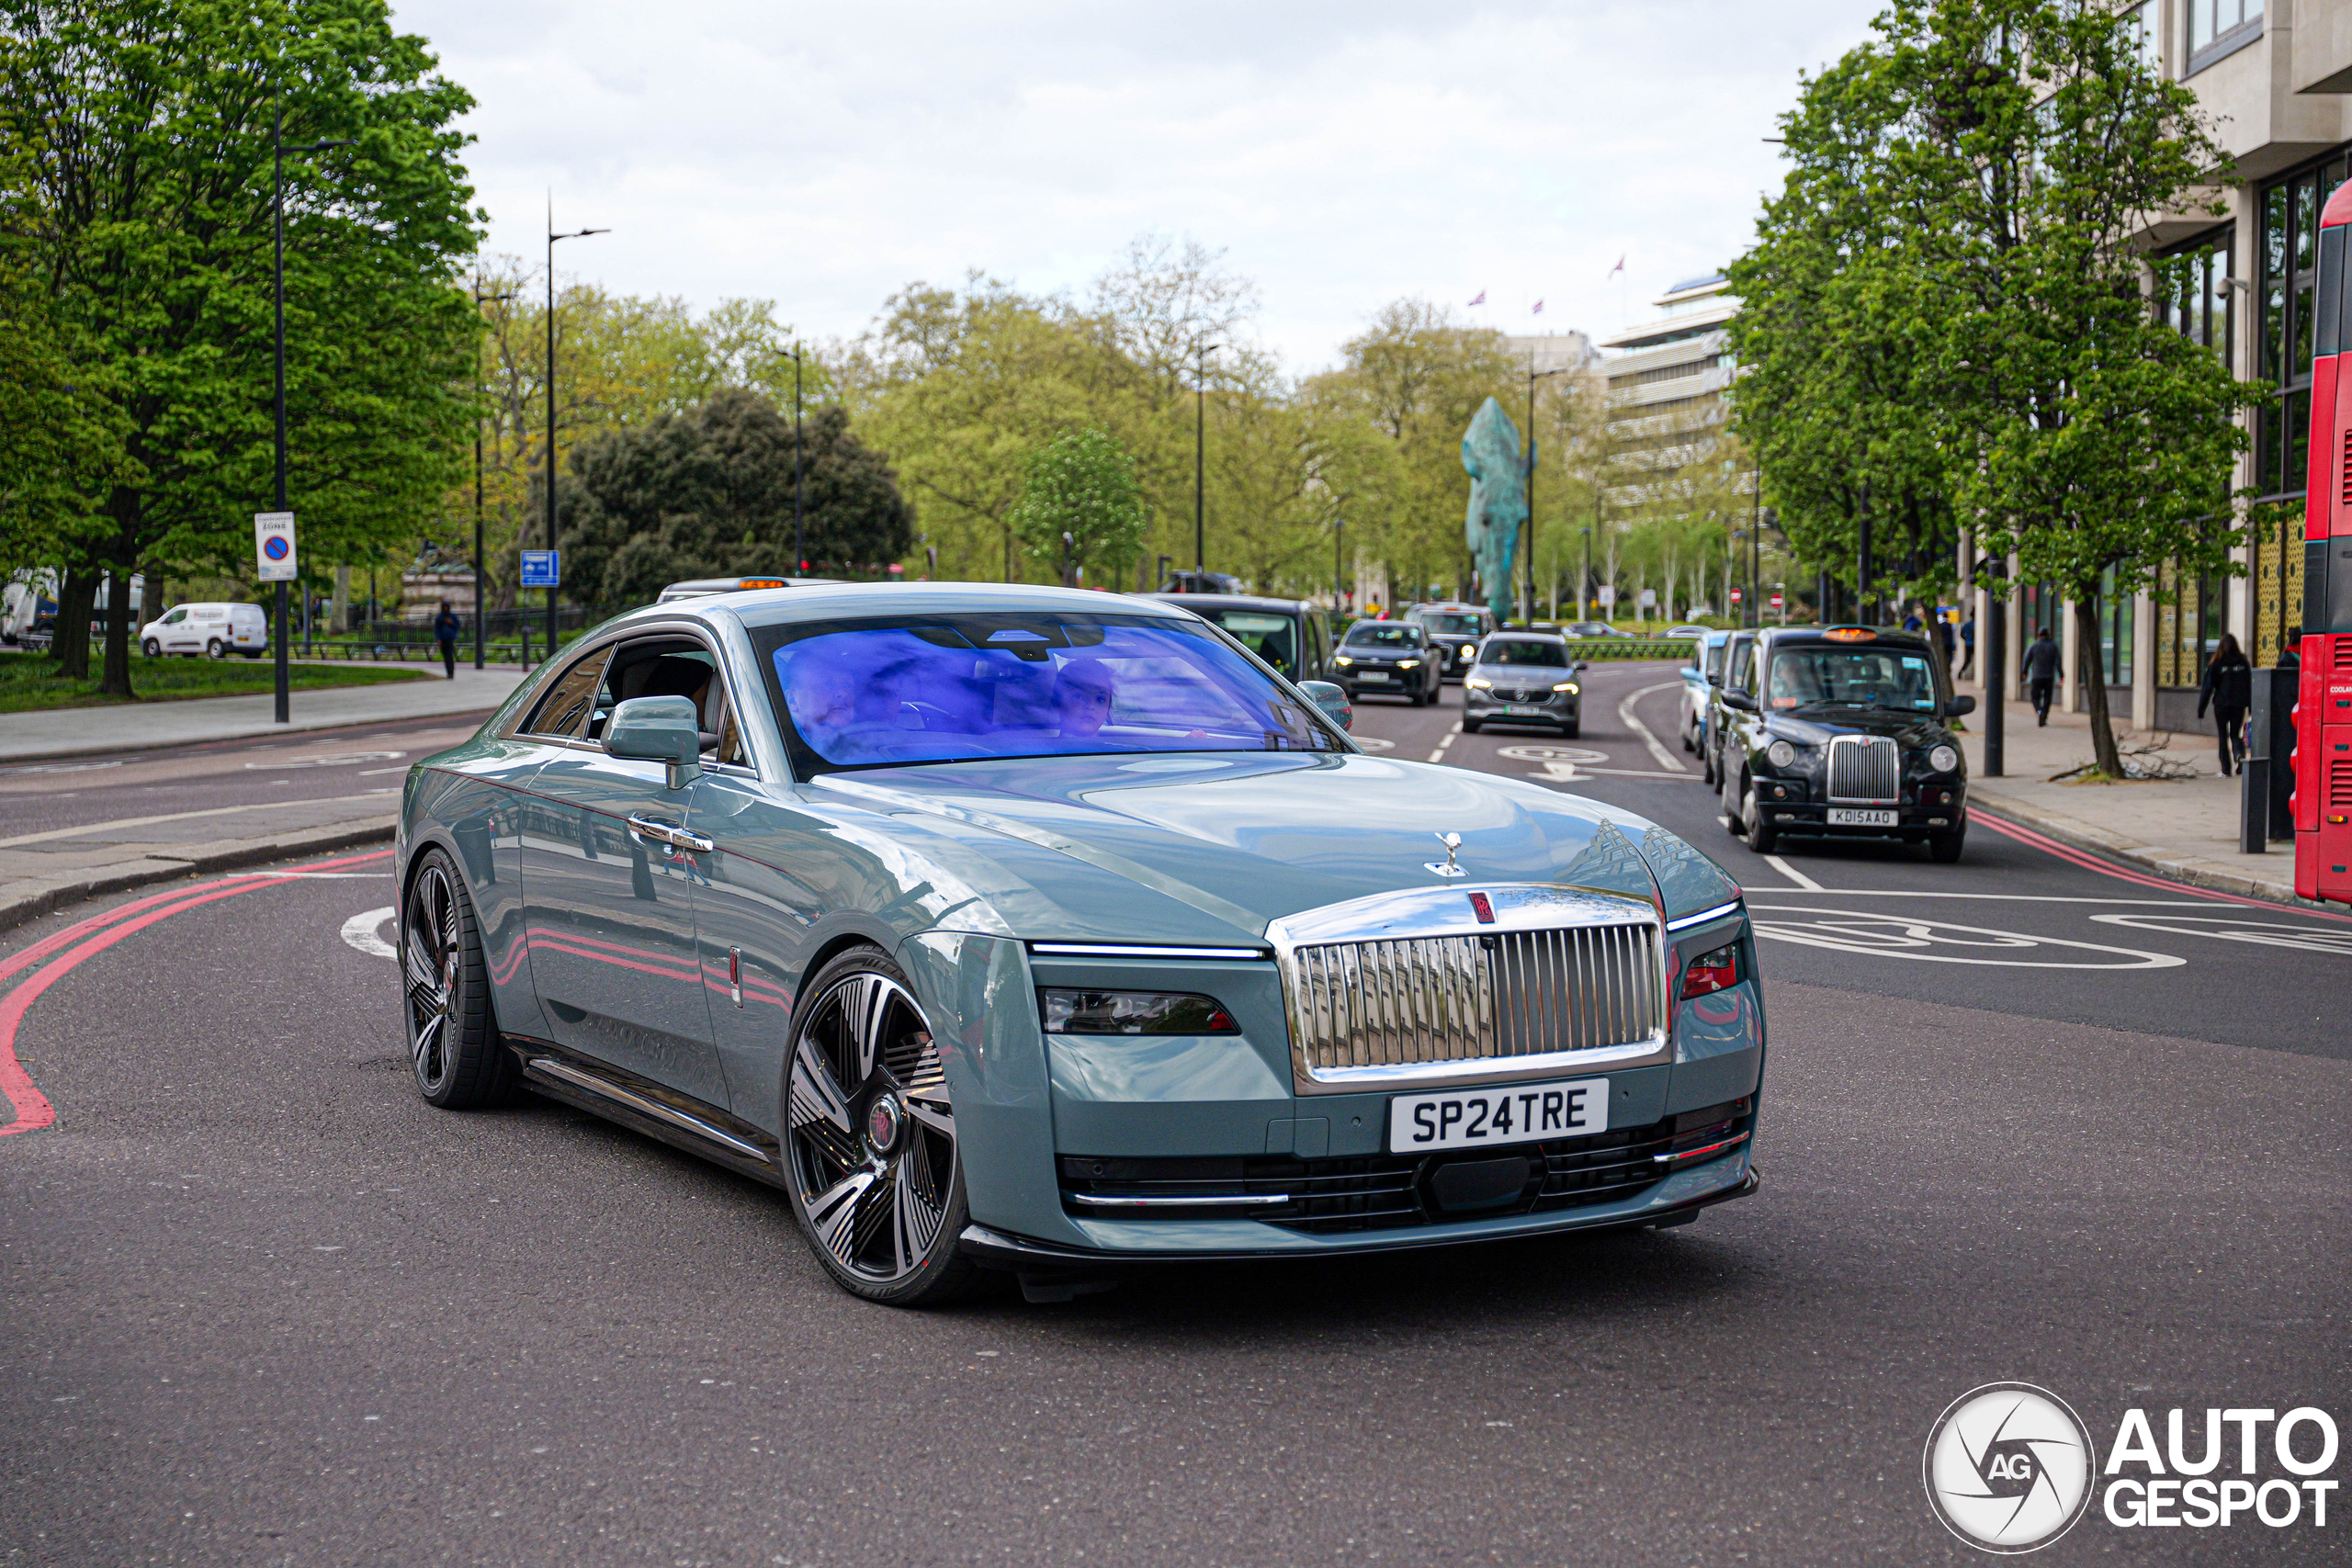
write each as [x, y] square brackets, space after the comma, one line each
[1342, 156]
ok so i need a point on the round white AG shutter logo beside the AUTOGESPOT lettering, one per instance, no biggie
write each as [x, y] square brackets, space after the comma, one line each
[2010, 1468]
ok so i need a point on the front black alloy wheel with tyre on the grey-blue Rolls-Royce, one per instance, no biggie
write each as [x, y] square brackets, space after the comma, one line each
[869, 1151]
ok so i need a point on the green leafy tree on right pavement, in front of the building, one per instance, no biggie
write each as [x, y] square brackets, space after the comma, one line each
[1958, 239]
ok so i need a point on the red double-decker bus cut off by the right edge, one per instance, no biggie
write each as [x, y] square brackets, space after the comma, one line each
[2323, 800]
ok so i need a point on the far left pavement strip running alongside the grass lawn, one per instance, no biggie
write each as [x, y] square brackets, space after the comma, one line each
[79, 732]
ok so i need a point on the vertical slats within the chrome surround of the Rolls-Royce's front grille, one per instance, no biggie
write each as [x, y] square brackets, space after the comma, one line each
[1464, 998]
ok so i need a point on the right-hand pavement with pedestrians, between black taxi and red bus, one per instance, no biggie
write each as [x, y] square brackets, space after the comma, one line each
[2179, 829]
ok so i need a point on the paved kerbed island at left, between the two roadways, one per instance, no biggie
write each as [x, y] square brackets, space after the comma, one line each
[46, 871]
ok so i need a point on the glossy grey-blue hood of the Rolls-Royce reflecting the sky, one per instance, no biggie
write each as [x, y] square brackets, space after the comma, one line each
[1212, 847]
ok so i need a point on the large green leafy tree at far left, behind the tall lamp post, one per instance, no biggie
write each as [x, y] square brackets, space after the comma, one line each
[149, 135]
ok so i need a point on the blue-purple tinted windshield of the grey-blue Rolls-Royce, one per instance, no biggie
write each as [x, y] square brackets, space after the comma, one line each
[1020, 685]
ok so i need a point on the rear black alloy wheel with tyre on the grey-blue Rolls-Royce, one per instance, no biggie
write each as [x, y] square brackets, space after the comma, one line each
[455, 1047]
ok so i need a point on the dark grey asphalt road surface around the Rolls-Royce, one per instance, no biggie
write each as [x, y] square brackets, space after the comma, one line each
[269, 1308]
